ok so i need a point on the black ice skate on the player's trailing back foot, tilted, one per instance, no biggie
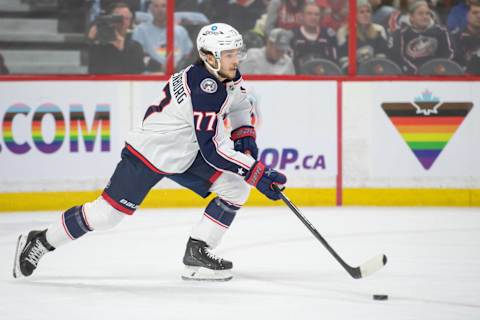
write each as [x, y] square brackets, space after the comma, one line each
[30, 249]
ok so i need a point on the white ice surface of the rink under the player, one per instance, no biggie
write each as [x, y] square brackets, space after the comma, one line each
[280, 270]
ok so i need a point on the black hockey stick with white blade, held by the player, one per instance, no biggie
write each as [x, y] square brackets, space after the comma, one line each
[365, 269]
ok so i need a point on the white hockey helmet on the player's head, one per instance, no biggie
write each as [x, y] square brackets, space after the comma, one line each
[218, 37]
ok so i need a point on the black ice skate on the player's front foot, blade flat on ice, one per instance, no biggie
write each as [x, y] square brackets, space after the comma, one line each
[202, 265]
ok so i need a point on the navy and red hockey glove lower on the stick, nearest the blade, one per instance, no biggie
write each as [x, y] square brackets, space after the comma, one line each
[264, 178]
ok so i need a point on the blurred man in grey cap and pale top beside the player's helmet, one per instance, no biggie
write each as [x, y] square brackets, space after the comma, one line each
[271, 59]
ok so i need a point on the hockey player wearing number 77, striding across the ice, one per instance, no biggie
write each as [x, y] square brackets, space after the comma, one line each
[183, 138]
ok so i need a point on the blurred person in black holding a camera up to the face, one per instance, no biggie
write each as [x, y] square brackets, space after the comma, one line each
[112, 49]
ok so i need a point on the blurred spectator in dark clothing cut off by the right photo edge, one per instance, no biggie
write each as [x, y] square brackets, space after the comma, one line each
[467, 41]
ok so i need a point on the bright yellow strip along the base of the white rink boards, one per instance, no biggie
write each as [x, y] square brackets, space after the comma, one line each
[178, 198]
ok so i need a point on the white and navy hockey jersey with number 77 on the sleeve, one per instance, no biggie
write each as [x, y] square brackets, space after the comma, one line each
[190, 118]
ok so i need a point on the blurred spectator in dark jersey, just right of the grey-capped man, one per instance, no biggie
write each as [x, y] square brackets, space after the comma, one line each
[310, 40]
